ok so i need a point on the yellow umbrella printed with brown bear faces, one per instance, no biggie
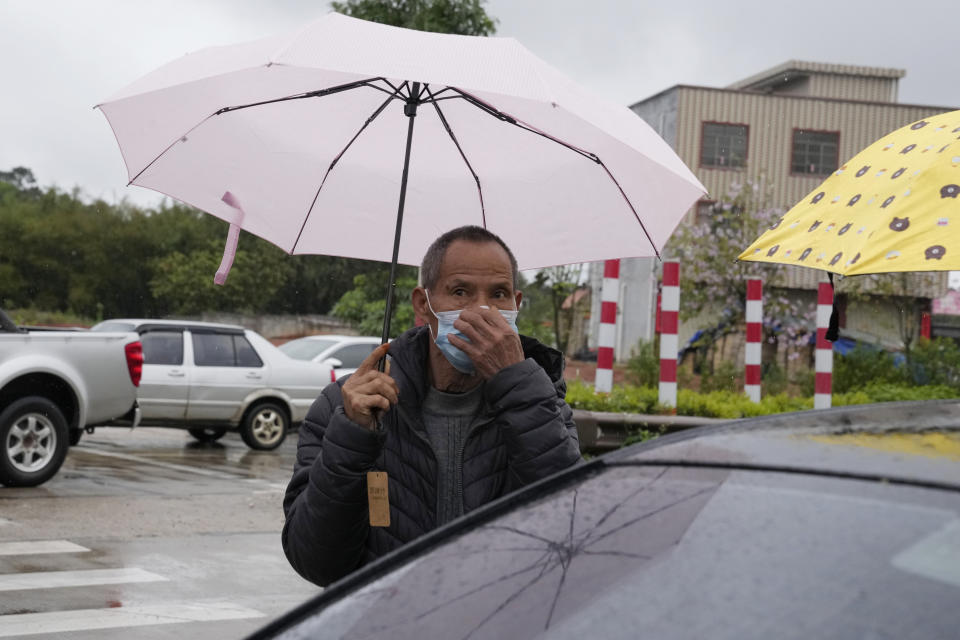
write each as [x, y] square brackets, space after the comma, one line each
[894, 207]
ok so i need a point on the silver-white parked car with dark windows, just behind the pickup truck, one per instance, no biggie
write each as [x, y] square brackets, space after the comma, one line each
[210, 378]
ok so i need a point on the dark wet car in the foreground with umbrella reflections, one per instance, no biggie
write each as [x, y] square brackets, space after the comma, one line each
[824, 524]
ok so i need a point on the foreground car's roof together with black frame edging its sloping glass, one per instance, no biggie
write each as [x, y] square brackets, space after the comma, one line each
[869, 443]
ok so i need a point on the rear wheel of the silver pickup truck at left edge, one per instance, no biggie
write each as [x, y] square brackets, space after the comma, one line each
[34, 438]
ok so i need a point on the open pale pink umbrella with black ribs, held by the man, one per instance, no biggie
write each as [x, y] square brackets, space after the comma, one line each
[297, 139]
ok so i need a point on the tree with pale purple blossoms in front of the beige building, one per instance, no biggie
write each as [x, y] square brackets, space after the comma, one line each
[714, 282]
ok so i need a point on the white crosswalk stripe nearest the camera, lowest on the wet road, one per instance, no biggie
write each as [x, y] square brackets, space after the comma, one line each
[24, 624]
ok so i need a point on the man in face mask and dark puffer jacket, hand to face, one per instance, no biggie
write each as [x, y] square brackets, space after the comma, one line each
[469, 411]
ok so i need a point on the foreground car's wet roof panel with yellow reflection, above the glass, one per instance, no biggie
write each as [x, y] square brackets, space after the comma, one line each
[918, 442]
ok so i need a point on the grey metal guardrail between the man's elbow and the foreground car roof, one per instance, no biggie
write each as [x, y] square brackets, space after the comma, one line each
[603, 431]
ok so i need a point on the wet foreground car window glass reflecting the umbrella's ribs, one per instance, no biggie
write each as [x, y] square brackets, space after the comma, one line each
[680, 553]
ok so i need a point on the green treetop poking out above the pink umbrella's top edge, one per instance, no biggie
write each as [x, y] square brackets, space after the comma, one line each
[463, 17]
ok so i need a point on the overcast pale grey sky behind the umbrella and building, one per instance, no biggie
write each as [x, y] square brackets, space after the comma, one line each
[60, 57]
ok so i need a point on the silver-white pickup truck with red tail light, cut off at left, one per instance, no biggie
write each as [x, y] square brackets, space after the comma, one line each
[53, 385]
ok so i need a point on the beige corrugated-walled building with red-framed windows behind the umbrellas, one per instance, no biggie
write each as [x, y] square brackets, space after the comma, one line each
[787, 128]
